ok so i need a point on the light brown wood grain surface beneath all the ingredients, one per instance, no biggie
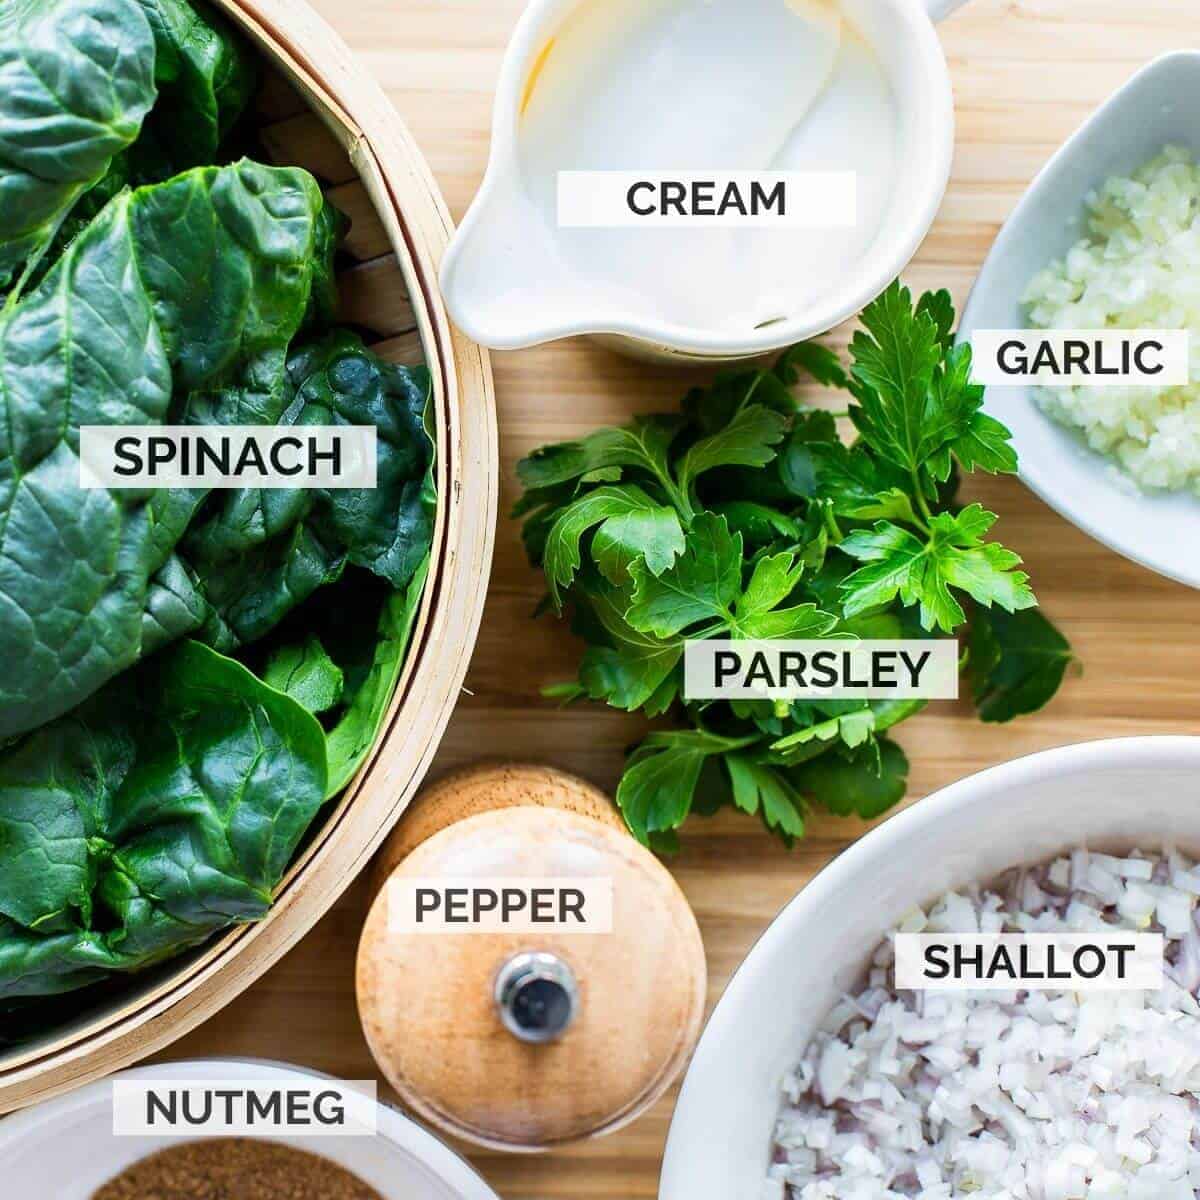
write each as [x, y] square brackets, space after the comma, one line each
[1027, 74]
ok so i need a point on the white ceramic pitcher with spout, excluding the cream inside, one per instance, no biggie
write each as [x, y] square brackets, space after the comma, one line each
[507, 287]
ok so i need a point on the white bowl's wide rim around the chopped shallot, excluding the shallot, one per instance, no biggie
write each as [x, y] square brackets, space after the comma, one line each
[1107, 795]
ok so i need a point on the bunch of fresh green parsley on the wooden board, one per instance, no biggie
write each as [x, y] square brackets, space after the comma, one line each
[746, 517]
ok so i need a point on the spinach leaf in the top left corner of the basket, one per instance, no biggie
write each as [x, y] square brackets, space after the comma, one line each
[101, 95]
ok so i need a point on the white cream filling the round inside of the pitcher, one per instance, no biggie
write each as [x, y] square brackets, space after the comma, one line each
[709, 86]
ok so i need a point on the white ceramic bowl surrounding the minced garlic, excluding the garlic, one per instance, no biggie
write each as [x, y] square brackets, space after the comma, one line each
[1157, 107]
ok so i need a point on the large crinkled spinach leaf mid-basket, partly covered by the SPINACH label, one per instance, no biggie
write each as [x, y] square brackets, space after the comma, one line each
[193, 286]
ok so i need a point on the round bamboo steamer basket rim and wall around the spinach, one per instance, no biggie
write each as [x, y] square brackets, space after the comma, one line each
[320, 110]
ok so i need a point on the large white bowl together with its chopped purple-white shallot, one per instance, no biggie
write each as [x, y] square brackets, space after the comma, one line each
[818, 1079]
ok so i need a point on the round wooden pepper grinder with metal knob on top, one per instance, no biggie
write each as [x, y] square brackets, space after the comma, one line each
[526, 1042]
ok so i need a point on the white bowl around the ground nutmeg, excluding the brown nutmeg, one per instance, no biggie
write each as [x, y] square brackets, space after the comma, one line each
[65, 1148]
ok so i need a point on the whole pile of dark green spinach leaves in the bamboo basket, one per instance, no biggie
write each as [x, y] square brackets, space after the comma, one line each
[189, 676]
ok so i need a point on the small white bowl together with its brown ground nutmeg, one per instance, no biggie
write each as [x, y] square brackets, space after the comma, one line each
[74, 1149]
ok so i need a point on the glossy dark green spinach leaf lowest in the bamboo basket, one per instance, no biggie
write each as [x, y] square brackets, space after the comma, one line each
[165, 808]
